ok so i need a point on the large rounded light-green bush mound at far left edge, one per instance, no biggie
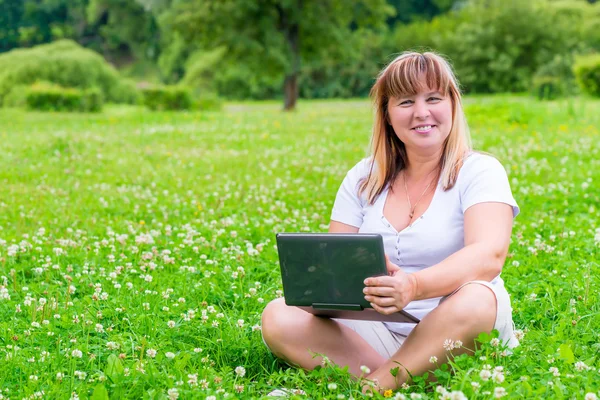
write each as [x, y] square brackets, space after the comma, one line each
[67, 64]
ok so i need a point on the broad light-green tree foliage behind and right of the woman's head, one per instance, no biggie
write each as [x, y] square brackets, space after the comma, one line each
[499, 45]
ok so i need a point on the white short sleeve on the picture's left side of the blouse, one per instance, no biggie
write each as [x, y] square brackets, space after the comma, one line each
[348, 205]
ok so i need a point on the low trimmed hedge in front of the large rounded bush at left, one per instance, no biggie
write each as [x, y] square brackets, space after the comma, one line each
[49, 97]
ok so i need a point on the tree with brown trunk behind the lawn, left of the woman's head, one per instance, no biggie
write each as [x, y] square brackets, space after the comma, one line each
[274, 36]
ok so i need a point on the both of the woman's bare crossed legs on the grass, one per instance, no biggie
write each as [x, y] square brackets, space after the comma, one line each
[293, 335]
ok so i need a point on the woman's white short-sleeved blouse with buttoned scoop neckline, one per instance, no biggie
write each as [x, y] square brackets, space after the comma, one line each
[438, 233]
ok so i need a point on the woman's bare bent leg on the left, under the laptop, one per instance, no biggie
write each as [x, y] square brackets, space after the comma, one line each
[293, 335]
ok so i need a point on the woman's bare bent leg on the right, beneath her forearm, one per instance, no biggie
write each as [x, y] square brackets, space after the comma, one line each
[463, 316]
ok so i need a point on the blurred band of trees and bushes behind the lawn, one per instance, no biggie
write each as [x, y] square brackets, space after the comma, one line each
[173, 54]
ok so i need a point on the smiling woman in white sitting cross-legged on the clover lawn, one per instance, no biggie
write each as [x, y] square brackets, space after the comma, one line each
[445, 214]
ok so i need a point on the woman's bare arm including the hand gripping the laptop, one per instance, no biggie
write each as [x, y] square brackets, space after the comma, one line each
[487, 230]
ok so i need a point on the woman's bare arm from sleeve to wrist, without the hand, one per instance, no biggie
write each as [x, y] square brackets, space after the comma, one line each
[487, 228]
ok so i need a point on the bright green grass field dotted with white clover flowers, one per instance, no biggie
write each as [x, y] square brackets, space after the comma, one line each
[137, 248]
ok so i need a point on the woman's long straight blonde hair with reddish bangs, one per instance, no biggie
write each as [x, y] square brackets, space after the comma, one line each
[404, 76]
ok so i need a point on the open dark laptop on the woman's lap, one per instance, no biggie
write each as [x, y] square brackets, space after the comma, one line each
[324, 273]
